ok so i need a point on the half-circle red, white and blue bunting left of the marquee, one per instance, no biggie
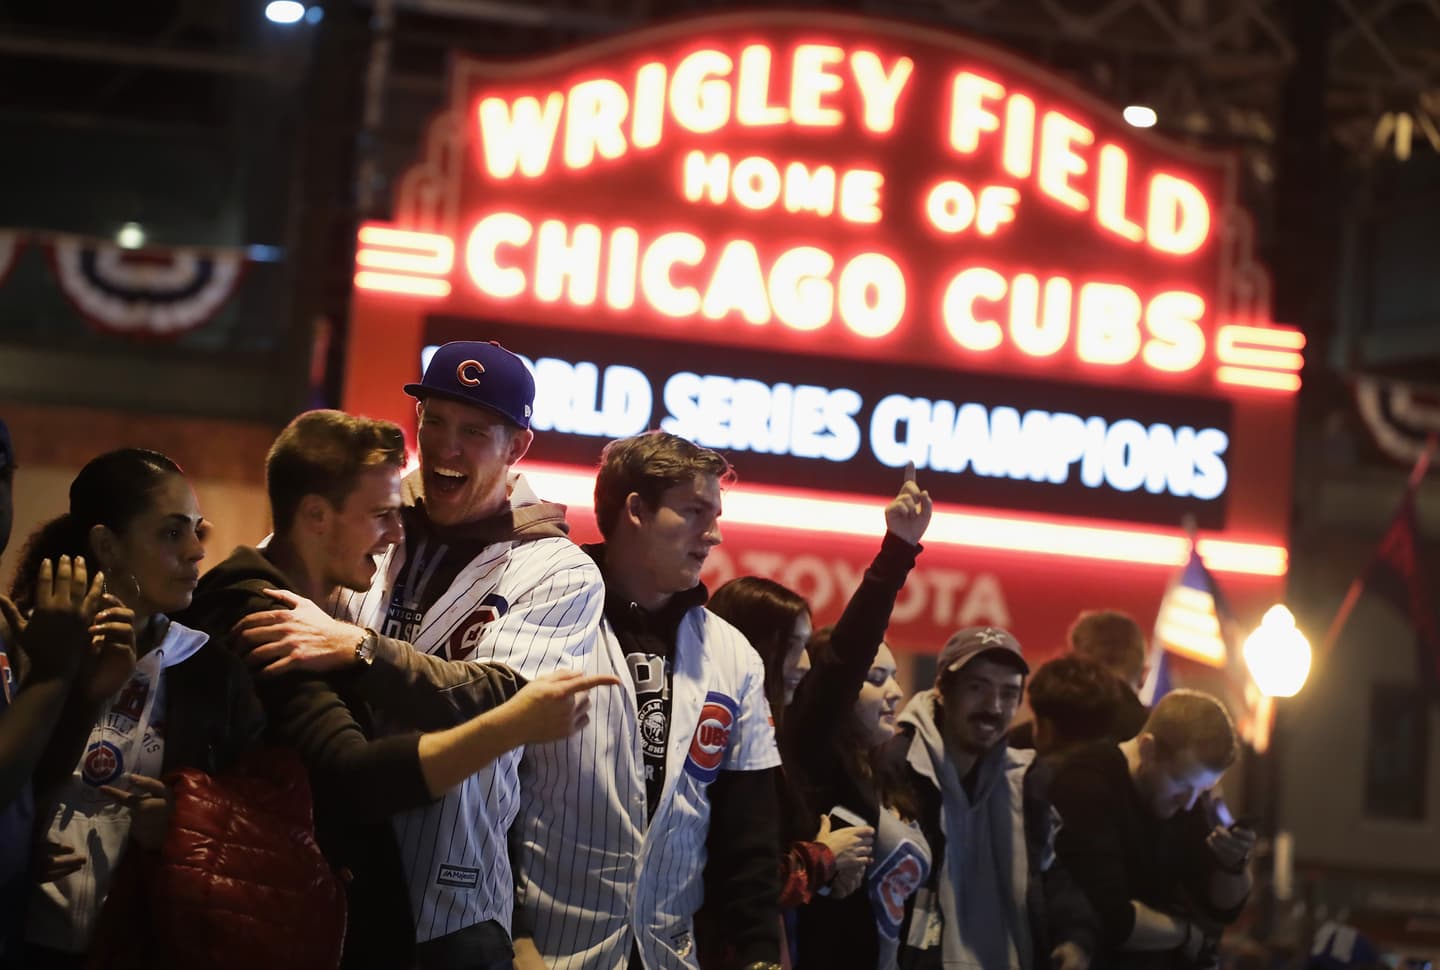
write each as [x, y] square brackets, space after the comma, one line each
[145, 293]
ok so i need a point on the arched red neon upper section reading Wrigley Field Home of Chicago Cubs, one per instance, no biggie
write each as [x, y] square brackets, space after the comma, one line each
[865, 191]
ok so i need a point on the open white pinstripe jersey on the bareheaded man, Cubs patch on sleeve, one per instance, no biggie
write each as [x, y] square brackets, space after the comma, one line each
[593, 876]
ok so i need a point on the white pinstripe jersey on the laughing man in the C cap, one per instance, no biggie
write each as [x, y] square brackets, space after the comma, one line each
[534, 605]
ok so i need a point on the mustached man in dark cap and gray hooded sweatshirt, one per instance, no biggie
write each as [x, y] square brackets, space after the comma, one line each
[999, 902]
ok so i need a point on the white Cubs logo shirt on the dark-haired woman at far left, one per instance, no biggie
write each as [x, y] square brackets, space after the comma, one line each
[129, 739]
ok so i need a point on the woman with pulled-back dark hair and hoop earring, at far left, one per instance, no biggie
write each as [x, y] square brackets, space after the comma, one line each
[161, 699]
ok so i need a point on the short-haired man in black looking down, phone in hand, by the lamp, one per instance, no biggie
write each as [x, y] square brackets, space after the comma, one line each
[1146, 841]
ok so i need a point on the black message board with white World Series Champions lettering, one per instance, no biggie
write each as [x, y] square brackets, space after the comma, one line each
[811, 422]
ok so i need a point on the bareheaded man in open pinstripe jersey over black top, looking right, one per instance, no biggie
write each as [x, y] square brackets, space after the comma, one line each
[669, 797]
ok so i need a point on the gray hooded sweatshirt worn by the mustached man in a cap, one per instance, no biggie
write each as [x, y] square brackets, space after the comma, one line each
[980, 917]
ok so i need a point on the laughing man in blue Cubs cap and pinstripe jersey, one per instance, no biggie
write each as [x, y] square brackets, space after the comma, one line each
[485, 572]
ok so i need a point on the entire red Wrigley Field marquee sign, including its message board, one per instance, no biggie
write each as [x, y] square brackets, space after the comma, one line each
[829, 250]
